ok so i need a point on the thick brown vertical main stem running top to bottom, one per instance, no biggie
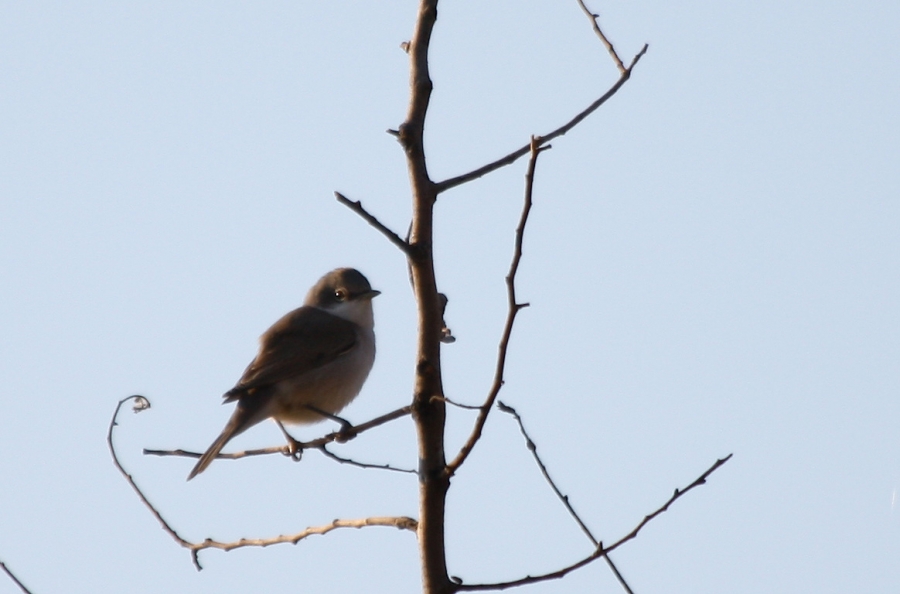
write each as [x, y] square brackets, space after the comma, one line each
[428, 412]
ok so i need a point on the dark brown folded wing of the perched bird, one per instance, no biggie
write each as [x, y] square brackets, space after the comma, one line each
[303, 339]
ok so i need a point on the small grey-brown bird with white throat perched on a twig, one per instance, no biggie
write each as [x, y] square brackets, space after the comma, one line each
[311, 363]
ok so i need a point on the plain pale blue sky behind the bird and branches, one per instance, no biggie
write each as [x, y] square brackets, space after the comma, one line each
[712, 266]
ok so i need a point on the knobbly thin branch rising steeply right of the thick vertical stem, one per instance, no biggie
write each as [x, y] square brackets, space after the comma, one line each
[513, 309]
